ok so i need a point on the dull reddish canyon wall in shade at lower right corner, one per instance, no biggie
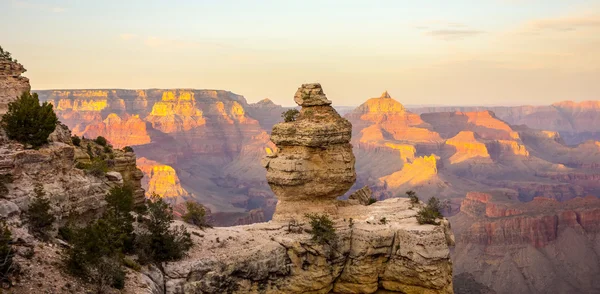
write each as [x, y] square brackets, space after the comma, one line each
[543, 246]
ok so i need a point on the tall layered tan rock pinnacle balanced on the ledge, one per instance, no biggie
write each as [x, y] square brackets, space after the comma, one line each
[315, 163]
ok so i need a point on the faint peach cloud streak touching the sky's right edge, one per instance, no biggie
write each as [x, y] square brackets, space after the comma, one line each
[563, 24]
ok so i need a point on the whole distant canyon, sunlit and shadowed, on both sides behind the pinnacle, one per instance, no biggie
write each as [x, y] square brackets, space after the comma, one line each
[517, 181]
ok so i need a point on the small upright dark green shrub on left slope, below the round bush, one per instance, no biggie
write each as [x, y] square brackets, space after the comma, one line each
[39, 215]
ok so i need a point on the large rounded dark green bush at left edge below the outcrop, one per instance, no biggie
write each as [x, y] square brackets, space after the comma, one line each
[29, 122]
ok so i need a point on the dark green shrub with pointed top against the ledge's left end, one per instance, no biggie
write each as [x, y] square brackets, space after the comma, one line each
[160, 243]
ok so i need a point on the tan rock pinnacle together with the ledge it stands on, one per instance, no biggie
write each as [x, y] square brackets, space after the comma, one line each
[379, 248]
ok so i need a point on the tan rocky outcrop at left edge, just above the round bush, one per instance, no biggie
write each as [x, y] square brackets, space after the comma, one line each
[12, 84]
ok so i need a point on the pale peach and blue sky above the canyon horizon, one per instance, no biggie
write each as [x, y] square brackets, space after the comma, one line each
[458, 52]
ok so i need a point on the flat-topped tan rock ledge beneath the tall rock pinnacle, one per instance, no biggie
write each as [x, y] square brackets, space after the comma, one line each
[381, 249]
